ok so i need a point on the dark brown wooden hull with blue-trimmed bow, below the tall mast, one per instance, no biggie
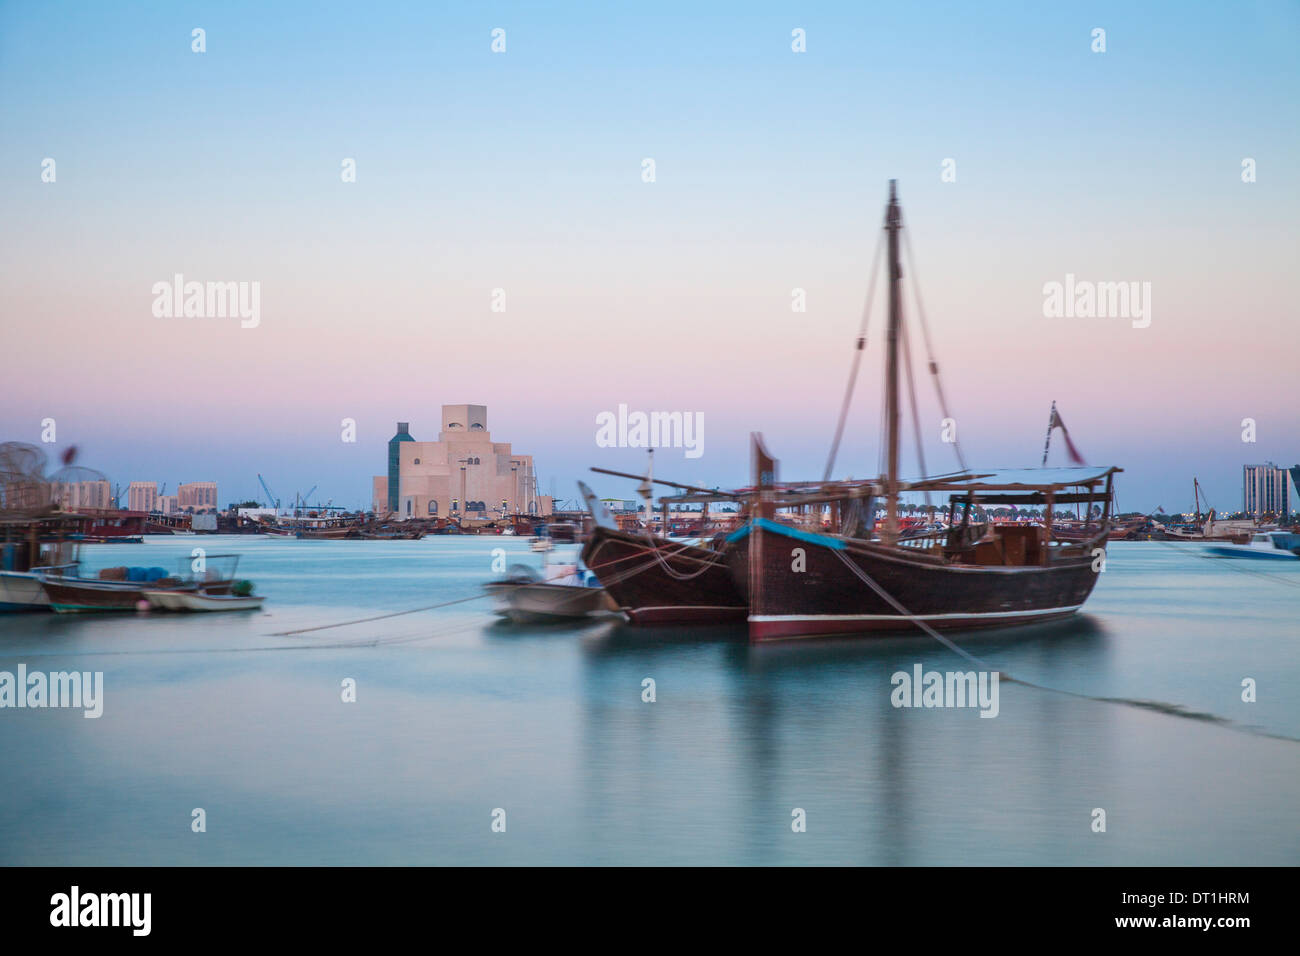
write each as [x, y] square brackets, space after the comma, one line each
[830, 598]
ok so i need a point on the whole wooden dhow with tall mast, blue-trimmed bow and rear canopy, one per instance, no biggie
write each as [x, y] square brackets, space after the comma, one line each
[804, 582]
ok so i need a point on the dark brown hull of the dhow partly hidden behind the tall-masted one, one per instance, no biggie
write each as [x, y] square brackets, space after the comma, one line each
[697, 586]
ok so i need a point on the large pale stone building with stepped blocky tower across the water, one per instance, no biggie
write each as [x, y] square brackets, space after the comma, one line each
[465, 473]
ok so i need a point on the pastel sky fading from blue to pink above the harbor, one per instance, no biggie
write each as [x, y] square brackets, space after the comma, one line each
[522, 171]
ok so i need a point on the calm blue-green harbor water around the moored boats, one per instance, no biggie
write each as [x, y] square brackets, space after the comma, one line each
[457, 716]
